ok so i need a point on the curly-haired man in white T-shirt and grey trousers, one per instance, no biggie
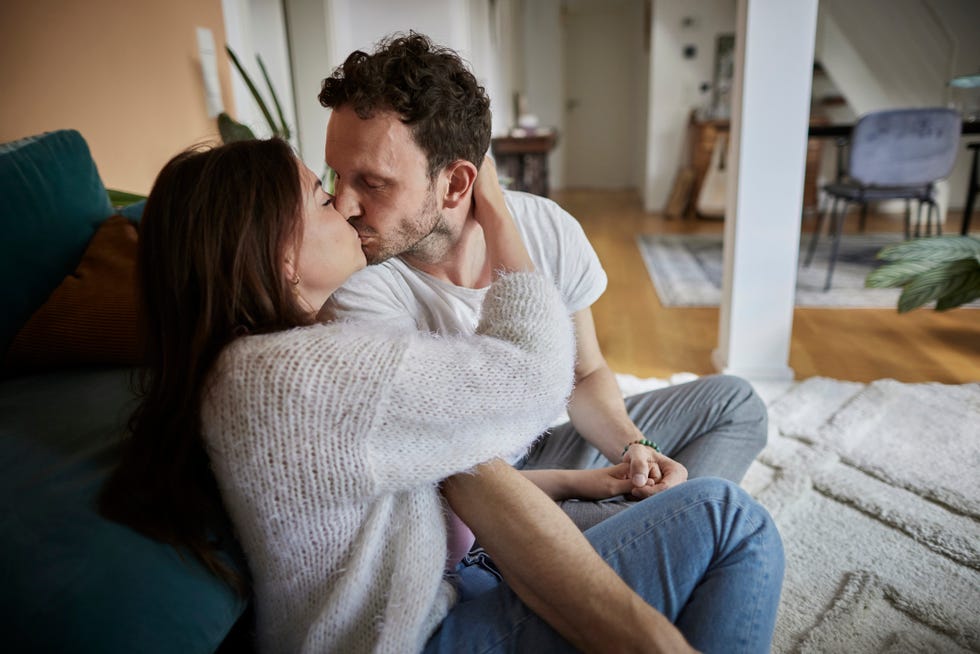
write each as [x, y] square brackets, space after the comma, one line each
[406, 137]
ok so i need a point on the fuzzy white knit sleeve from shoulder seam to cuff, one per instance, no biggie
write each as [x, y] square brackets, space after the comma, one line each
[455, 402]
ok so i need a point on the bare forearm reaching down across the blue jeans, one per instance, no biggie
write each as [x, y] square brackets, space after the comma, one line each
[552, 567]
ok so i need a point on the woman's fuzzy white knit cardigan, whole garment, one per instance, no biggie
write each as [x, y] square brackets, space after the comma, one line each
[329, 442]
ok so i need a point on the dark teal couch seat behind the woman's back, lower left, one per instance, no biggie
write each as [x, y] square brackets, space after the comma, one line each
[74, 581]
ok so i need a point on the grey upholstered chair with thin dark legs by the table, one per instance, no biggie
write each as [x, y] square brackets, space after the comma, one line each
[897, 154]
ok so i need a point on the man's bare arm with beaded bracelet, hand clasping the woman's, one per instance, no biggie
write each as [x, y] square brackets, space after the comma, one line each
[597, 412]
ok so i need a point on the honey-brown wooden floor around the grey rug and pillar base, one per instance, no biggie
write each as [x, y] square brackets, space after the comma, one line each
[641, 337]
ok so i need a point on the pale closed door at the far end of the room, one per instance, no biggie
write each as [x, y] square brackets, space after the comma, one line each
[603, 58]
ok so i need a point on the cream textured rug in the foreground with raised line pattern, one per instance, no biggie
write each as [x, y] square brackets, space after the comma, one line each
[875, 489]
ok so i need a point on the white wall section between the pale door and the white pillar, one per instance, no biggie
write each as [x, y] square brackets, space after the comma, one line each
[675, 82]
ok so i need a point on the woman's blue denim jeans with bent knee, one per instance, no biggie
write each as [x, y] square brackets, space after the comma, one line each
[704, 554]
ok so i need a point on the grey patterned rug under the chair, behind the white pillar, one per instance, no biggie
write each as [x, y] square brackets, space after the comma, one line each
[686, 271]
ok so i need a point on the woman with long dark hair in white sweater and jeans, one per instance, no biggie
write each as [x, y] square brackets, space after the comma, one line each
[328, 443]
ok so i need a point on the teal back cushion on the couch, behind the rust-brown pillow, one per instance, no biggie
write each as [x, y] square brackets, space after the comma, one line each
[51, 201]
